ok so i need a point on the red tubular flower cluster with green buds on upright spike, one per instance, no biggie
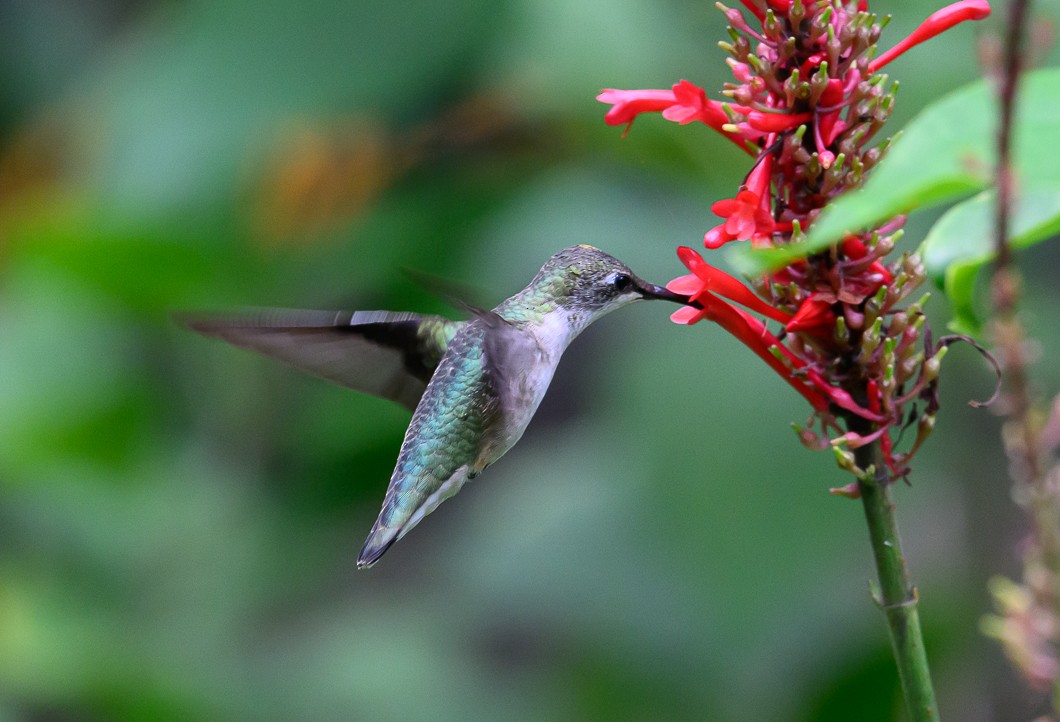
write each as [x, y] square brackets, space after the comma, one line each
[806, 102]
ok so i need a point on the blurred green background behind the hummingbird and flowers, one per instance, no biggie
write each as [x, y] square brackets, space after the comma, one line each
[180, 520]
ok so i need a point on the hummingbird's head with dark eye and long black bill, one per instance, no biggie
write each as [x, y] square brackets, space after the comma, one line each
[587, 281]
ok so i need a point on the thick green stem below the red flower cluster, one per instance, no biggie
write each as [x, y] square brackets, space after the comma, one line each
[898, 597]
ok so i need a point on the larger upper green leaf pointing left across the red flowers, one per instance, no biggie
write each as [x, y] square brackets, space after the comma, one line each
[947, 153]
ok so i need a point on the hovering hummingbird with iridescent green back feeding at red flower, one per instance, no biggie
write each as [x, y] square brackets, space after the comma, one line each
[473, 385]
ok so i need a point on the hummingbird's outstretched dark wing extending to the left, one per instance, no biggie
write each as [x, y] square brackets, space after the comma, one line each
[387, 355]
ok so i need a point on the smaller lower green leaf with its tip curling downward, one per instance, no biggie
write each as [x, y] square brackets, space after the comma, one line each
[963, 242]
